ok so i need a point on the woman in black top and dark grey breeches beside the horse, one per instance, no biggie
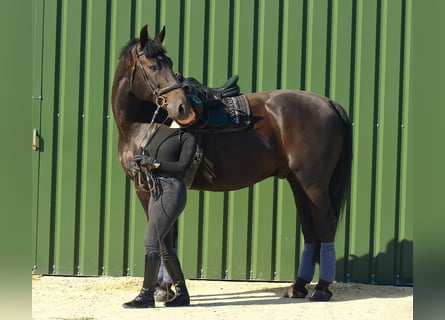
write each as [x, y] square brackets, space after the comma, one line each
[163, 162]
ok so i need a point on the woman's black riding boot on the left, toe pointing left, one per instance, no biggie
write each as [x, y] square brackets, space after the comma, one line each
[145, 298]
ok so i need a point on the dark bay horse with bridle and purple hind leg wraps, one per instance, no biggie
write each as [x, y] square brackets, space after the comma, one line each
[295, 135]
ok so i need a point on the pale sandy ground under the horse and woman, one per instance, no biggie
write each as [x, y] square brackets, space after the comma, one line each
[88, 298]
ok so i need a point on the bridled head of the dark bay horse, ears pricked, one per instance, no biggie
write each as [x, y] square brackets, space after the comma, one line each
[152, 78]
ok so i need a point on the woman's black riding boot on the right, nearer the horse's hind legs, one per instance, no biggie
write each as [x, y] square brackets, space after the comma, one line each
[181, 297]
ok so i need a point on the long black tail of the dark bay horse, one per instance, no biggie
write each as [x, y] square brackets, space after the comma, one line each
[341, 177]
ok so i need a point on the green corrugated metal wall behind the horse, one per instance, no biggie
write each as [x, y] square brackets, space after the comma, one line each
[86, 217]
